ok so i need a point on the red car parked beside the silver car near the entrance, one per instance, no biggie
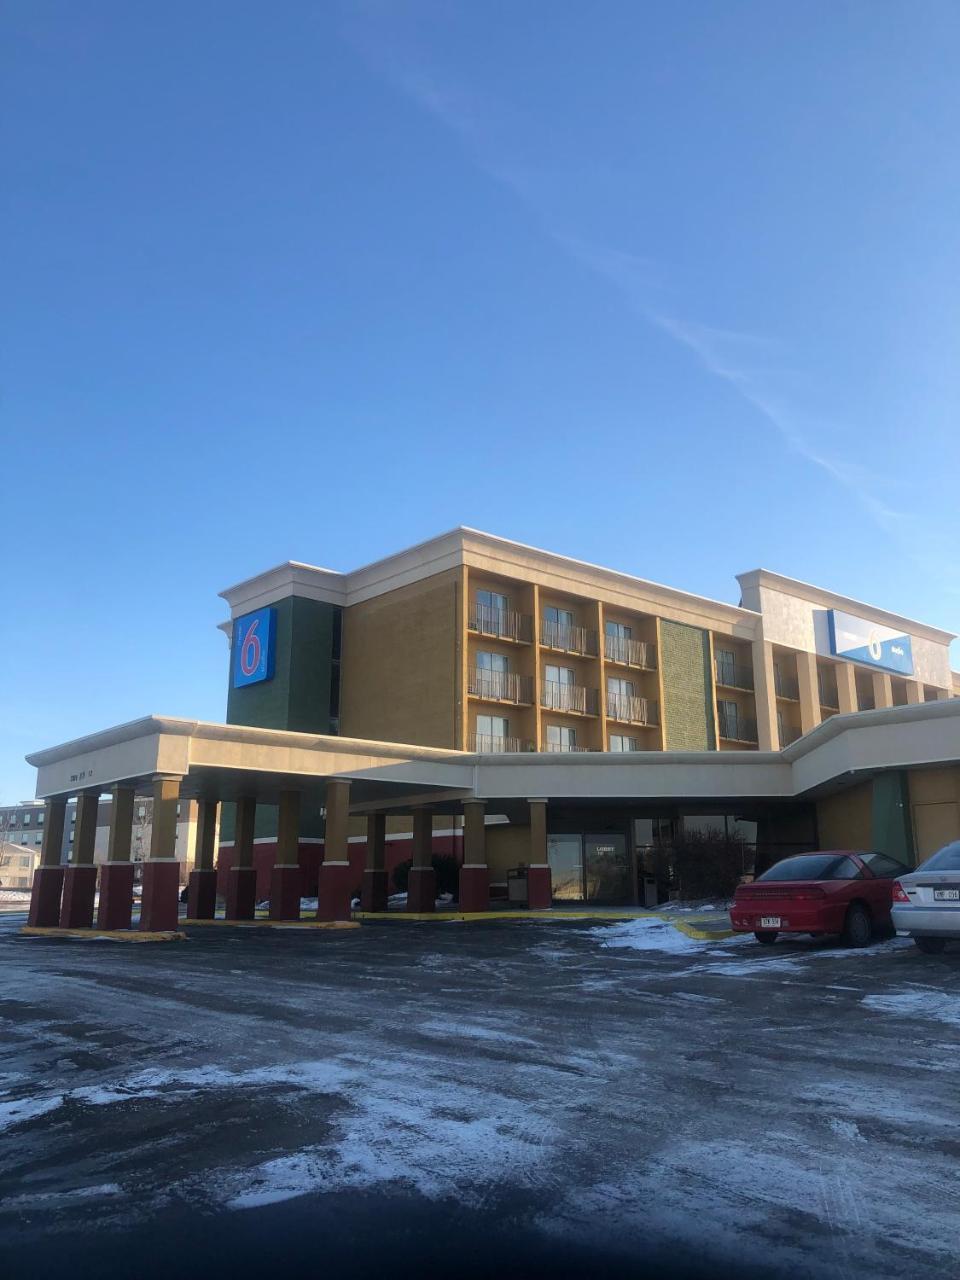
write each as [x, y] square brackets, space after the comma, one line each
[839, 892]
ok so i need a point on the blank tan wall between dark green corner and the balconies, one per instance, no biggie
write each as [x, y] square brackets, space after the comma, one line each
[401, 665]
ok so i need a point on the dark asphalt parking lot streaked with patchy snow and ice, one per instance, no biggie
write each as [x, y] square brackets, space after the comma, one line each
[495, 1099]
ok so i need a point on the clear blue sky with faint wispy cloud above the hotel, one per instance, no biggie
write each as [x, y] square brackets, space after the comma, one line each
[669, 287]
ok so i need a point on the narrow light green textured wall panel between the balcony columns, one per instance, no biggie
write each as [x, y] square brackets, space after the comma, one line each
[688, 688]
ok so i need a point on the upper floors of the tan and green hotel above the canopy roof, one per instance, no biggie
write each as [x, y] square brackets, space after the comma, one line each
[481, 644]
